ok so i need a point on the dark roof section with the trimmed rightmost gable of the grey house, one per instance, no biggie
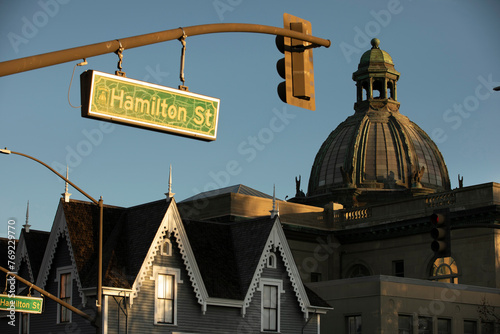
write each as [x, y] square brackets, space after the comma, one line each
[231, 258]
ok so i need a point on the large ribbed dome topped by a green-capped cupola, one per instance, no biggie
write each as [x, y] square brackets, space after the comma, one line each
[377, 154]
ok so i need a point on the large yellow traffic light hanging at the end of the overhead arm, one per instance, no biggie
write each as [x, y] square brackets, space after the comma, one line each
[297, 66]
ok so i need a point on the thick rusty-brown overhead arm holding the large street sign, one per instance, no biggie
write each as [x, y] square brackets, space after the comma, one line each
[63, 56]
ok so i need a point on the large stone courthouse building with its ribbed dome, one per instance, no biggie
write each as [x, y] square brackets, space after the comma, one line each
[361, 234]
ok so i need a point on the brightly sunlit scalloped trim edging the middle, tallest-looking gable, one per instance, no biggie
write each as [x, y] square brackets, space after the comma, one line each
[172, 223]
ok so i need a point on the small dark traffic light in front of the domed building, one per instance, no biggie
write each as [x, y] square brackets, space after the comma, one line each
[440, 233]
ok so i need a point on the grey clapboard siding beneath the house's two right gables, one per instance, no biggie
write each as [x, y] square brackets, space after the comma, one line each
[217, 319]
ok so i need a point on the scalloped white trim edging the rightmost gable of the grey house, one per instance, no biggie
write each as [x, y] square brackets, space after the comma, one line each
[277, 240]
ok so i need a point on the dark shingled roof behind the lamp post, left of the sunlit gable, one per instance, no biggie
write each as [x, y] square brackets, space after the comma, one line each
[127, 235]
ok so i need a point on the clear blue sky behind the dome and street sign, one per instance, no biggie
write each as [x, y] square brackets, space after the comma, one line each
[447, 52]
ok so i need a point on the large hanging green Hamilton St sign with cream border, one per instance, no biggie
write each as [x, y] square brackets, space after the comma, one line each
[137, 103]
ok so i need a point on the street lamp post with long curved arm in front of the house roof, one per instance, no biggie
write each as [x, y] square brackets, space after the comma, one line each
[99, 203]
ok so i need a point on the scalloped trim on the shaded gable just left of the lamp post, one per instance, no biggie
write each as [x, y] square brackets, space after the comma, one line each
[59, 229]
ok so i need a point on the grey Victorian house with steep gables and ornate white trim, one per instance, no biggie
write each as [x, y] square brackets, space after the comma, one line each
[163, 274]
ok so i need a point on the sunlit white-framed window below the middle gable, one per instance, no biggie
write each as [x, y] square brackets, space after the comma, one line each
[166, 285]
